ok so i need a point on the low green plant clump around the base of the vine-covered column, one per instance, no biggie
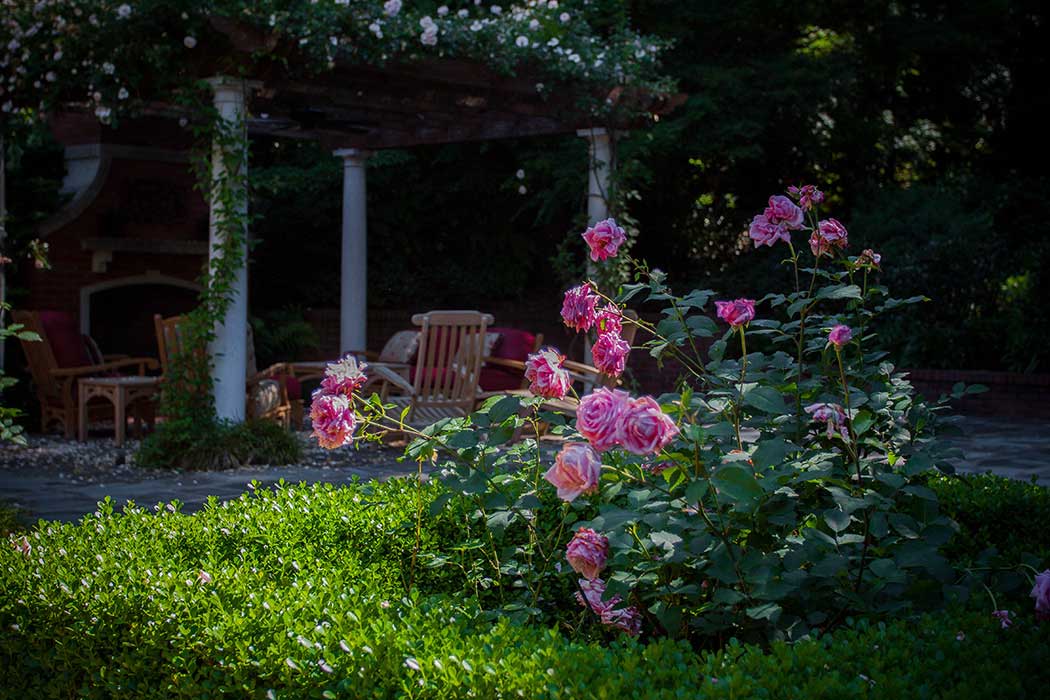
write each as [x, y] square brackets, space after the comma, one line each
[187, 444]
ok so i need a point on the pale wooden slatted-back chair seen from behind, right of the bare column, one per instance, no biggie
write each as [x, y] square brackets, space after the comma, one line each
[445, 383]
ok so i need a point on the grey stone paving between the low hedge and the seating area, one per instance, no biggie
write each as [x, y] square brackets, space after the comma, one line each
[1011, 448]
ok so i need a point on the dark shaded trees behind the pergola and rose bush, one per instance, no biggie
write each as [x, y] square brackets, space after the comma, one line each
[923, 122]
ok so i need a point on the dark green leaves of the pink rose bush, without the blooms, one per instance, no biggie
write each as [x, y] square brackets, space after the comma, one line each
[806, 522]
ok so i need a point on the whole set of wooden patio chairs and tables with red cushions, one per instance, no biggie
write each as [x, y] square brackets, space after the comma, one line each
[445, 367]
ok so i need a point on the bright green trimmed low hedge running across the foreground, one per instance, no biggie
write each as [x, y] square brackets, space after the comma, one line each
[306, 600]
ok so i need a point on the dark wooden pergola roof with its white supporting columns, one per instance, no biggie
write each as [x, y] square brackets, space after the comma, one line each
[356, 110]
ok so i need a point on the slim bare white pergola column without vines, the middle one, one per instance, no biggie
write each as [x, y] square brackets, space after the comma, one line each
[354, 287]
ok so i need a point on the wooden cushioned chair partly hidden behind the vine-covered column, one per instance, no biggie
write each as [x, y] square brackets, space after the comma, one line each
[267, 391]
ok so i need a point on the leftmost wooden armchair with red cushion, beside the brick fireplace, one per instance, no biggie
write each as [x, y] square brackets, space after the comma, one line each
[64, 357]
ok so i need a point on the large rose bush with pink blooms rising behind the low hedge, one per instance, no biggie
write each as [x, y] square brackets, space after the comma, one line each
[767, 489]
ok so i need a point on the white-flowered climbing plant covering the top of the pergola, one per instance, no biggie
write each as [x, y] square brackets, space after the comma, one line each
[36, 38]
